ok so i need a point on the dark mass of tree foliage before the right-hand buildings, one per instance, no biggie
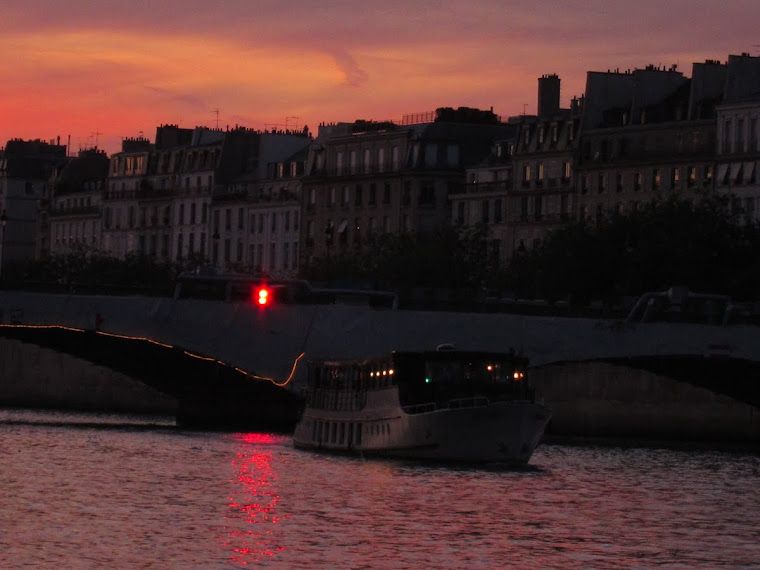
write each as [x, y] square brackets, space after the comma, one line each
[671, 242]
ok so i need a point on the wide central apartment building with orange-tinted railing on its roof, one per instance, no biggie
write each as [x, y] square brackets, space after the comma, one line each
[367, 178]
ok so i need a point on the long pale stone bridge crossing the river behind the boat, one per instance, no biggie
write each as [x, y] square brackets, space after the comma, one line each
[602, 377]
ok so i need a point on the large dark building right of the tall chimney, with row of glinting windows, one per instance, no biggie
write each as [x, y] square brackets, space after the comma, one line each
[646, 135]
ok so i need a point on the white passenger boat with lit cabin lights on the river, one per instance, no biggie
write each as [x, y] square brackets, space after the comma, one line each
[447, 405]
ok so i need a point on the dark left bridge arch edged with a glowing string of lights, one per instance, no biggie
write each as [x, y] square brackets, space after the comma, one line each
[207, 391]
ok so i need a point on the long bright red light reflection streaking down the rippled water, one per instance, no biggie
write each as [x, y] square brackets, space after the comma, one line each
[250, 527]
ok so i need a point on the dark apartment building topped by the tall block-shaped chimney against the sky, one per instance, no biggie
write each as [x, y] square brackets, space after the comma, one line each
[524, 189]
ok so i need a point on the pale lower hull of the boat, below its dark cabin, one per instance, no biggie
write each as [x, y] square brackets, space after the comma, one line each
[501, 432]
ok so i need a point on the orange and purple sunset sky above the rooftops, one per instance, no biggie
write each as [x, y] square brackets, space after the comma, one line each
[111, 69]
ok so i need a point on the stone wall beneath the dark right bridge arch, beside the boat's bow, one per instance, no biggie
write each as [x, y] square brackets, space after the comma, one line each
[600, 399]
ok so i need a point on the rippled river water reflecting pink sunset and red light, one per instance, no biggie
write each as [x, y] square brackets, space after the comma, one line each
[85, 491]
